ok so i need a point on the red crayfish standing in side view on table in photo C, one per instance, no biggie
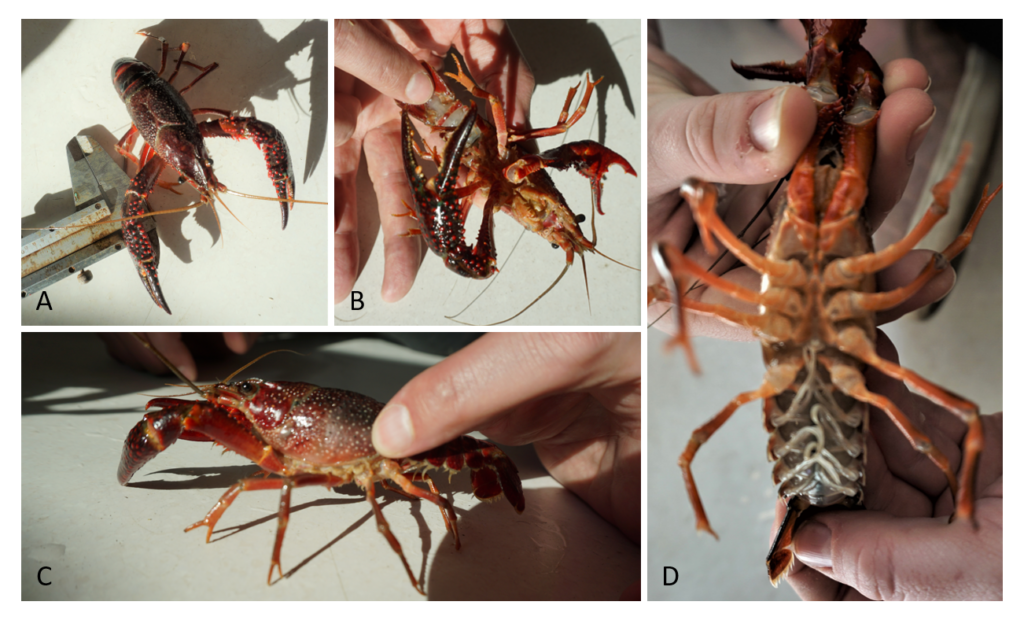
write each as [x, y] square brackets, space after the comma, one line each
[310, 436]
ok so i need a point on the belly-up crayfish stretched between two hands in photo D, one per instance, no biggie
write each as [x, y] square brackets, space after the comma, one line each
[818, 302]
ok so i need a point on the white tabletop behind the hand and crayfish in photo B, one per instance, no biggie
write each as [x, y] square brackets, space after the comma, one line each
[560, 54]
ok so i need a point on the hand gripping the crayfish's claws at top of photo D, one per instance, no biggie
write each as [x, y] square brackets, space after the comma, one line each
[754, 138]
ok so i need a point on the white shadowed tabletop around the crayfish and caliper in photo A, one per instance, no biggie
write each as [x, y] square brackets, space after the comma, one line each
[265, 276]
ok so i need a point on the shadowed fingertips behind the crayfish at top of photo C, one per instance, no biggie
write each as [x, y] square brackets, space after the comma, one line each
[126, 349]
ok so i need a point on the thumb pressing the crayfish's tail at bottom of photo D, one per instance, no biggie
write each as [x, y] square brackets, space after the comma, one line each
[889, 559]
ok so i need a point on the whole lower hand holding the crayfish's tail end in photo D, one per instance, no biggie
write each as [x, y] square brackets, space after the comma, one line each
[903, 548]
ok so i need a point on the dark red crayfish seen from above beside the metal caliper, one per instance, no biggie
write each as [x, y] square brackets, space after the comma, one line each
[175, 139]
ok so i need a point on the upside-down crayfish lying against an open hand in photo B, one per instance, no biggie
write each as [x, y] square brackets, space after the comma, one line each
[509, 179]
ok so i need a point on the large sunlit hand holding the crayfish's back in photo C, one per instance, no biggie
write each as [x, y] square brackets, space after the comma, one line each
[575, 397]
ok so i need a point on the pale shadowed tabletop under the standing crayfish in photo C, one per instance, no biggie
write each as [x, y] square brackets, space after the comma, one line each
[104, 542]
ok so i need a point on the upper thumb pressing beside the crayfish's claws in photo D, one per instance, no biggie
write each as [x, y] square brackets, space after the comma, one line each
[739, 138]
